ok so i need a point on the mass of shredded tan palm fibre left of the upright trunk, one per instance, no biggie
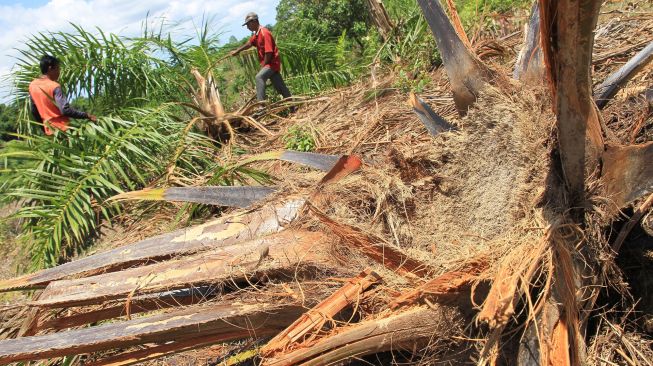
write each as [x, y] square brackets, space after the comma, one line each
[458, 193]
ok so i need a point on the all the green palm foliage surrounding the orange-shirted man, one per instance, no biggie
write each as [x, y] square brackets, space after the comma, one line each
[61, 182]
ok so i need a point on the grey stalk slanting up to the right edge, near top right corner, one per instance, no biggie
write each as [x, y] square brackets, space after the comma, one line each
[609, 88]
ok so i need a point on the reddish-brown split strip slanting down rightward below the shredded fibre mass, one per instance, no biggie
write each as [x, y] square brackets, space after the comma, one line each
[375, 248]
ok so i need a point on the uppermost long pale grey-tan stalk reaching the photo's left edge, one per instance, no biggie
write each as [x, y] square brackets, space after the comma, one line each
[221, 232]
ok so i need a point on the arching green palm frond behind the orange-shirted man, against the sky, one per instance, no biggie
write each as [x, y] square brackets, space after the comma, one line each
[94, 65]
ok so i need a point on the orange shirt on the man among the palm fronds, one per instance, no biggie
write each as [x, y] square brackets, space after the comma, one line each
[42, 92]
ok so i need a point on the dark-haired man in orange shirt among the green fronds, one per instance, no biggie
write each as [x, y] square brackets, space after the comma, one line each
[49, 105]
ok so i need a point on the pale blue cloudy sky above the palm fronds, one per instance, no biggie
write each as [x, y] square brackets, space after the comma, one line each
[19, 19]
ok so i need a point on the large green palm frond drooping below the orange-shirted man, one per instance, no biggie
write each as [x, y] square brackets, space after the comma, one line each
[72, 174]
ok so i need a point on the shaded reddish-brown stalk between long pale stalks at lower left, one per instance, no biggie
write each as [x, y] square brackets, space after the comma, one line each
[136, 305]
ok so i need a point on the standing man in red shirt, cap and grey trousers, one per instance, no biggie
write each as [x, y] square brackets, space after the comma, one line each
[268, 55]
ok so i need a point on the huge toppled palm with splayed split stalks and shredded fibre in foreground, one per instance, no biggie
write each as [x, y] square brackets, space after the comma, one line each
[446, 231]
